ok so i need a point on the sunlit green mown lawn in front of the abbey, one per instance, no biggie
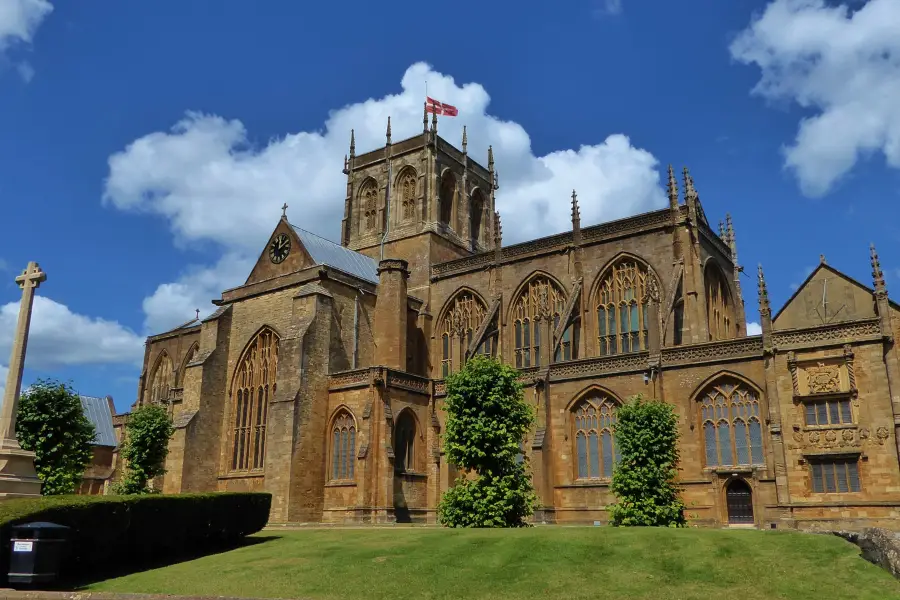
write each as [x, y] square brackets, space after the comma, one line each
[543, 562]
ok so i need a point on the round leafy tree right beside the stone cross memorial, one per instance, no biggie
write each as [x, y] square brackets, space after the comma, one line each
[51, 423]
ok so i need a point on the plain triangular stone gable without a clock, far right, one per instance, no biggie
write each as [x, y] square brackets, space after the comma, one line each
[826, 297]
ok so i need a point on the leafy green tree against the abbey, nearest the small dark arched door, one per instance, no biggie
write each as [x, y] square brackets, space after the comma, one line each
[644, 479]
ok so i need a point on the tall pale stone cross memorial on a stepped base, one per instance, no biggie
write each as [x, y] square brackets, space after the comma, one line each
[17, 475]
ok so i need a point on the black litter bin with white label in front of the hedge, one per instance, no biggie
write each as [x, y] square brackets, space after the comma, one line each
[36, 552]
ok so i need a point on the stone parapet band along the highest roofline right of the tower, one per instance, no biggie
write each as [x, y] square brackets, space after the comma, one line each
[555, 243]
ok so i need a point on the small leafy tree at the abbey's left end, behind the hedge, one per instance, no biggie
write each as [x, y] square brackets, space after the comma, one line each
[146, 446]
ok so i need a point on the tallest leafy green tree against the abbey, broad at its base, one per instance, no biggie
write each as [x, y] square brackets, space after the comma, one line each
[487, 419]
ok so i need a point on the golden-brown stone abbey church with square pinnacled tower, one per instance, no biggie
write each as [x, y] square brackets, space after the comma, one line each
[321, 378]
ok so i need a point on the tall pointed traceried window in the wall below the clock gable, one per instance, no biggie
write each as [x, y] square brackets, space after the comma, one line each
[254, 386]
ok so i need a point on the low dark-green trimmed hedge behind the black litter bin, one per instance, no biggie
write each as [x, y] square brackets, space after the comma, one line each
[109, 533]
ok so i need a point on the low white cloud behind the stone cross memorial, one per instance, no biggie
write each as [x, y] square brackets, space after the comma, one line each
[59, 337]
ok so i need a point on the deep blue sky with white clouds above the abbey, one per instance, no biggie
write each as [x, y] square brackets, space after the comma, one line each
[146, 147]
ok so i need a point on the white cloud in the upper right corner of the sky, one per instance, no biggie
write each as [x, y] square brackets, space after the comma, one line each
[841, 65]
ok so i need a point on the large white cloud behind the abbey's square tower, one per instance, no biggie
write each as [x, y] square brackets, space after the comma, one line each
[211, 184]
